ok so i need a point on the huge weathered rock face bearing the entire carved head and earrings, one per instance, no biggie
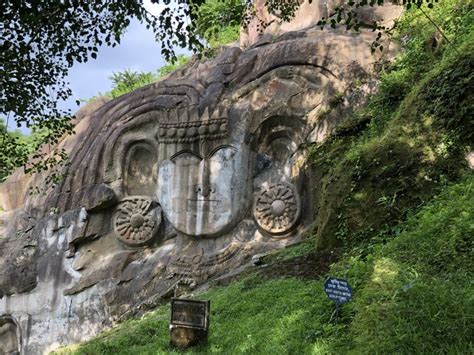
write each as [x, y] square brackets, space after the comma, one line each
[178, 183]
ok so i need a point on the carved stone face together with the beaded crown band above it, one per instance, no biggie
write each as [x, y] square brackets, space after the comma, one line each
[202, 182]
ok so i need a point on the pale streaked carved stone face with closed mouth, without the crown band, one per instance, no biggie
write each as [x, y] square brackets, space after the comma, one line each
[203, 195]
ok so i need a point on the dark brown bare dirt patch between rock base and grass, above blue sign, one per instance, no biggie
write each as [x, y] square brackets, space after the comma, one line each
[309, 266]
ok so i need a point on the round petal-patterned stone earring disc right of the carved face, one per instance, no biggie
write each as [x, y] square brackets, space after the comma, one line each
[277, 208]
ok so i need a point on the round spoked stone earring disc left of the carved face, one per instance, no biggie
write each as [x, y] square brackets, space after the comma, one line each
[137, 220]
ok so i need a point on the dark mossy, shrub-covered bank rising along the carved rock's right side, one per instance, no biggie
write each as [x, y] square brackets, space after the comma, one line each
[395, 155]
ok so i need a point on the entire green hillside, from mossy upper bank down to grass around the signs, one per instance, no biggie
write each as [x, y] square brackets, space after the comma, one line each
[394, 193]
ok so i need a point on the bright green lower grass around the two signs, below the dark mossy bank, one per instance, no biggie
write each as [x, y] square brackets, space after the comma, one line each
[414, 294]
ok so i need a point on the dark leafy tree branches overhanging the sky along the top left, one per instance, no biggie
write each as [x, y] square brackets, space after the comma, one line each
[41, 40]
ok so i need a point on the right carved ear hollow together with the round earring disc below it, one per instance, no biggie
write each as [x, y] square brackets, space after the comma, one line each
[277, 204]
